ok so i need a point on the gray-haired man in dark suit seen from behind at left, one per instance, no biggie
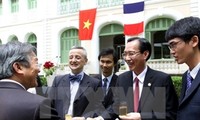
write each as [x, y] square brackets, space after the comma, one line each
[18, 72]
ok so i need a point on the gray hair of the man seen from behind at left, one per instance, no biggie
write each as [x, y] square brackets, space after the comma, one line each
[14, 51]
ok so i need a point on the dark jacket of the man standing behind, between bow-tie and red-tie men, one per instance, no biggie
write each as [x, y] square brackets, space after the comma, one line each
[108, 98]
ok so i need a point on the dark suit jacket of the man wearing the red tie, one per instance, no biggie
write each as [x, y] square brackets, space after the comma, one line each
[158, 100]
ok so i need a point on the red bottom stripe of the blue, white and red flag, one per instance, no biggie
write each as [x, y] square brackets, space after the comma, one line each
[133, 29]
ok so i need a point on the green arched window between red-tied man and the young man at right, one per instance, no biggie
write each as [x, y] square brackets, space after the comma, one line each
[155, 32]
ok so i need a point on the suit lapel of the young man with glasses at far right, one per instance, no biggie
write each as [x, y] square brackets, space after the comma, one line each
[195, 85]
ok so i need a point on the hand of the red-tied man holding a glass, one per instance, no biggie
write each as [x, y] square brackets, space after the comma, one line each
[131, 116]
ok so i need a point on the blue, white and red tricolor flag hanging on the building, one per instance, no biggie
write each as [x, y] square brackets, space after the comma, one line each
[133, 17]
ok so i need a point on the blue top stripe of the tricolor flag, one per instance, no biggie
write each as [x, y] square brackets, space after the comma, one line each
[133, 7]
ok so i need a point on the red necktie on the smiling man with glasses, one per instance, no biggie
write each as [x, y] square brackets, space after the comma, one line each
[136, 94]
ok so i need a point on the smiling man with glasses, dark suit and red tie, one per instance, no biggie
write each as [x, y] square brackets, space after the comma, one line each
[147, 93]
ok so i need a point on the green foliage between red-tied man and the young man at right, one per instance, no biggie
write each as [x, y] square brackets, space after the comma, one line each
[177, 81]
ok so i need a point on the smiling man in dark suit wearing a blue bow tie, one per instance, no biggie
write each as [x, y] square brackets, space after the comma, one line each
[75, 93]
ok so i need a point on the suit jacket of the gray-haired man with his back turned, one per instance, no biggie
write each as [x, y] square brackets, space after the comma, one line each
[18, 104]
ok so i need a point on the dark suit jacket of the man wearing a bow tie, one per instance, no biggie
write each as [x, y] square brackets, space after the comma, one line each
[86, 100]
